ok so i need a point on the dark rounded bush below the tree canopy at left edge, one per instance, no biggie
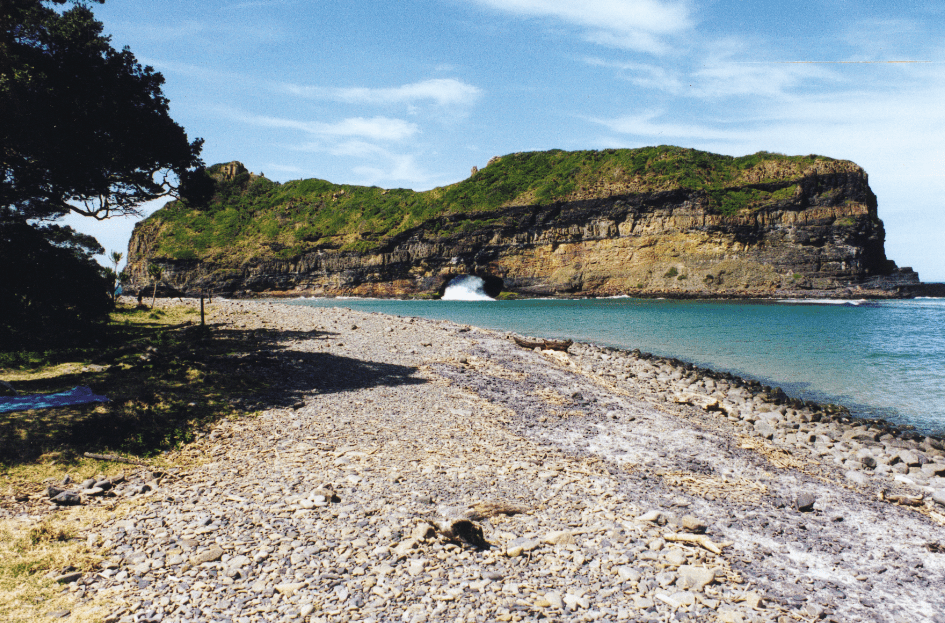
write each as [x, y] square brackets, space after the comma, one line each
[51, 291]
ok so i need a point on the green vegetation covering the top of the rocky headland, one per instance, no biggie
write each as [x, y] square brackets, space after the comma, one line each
[247, 214]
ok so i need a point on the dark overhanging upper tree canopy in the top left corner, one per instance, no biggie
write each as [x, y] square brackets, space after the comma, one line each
[83, 127]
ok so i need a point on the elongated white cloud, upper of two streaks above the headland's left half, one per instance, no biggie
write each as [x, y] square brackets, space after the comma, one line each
[441, 91]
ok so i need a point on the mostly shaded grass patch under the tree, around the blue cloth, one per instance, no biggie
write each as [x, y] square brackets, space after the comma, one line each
[163, 379]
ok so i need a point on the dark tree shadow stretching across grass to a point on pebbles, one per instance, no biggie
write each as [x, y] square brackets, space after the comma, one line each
[164, 383]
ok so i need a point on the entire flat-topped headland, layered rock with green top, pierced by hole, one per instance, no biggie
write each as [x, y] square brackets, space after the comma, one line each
[653, 221]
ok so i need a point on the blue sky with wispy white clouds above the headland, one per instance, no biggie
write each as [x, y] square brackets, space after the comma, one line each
[414, 93]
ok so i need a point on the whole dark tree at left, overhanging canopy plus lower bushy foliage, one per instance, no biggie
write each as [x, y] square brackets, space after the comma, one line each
[83, 128]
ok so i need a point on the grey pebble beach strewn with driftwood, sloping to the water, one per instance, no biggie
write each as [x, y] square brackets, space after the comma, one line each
[418, 470]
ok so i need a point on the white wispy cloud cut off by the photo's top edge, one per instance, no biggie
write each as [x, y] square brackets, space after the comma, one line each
[631, 24]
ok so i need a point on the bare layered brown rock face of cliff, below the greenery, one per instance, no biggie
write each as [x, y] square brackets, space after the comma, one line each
[814, 228]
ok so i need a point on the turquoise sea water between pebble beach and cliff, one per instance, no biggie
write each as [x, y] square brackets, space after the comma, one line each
[881, 359]
